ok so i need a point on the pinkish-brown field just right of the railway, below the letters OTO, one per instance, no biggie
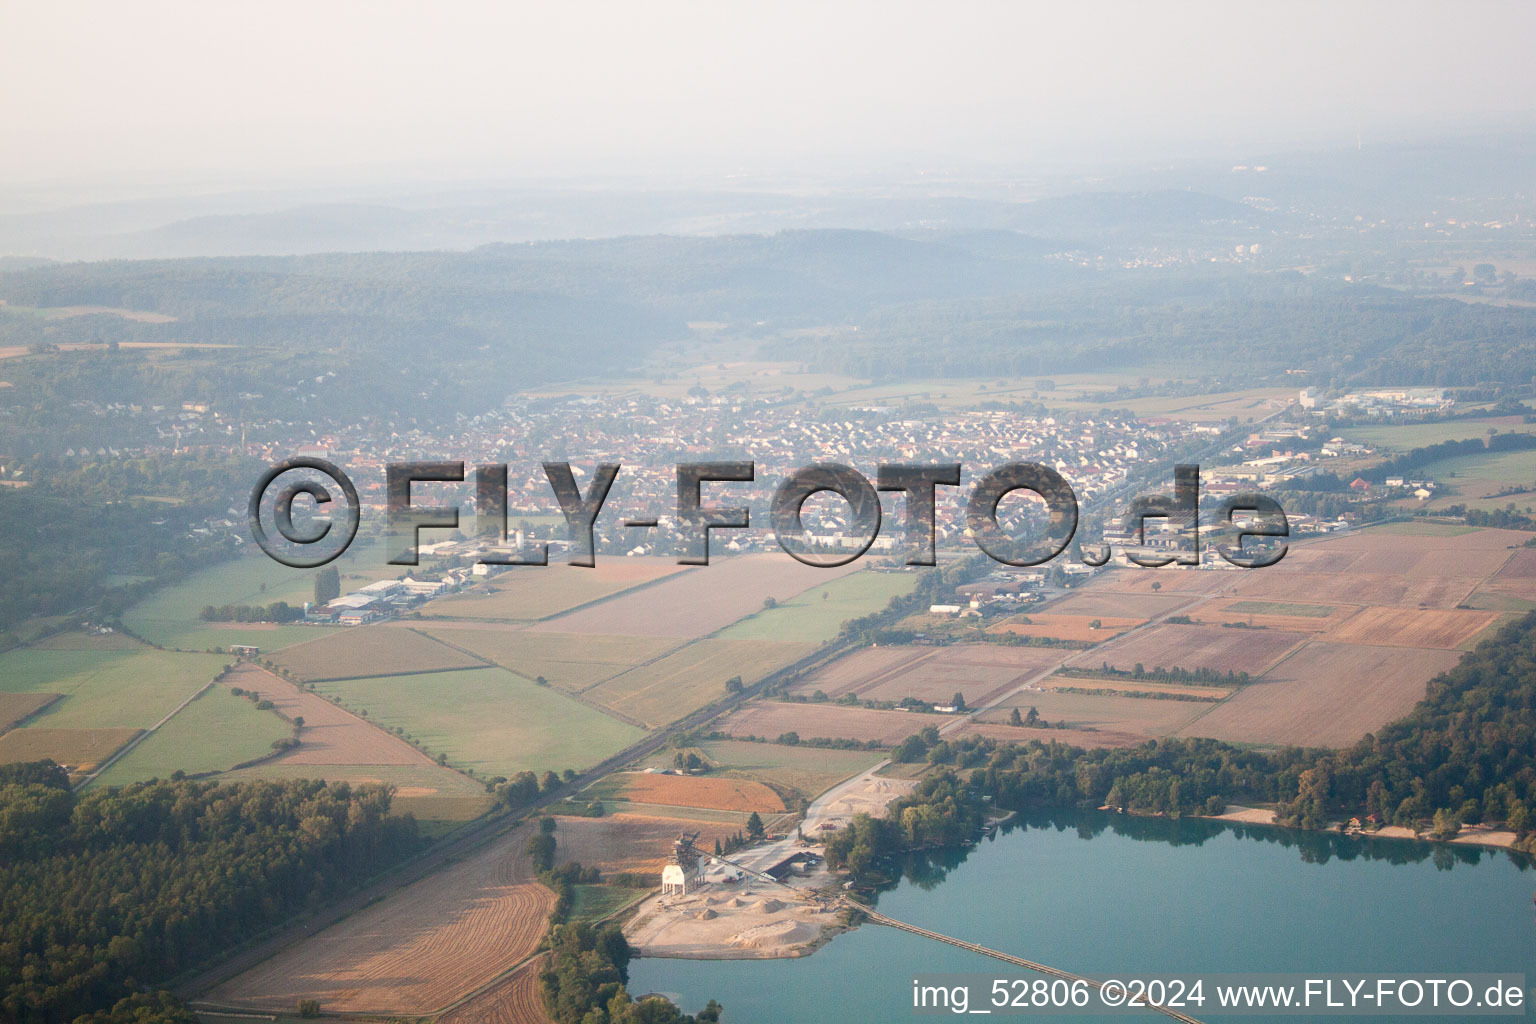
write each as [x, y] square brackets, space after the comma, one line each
[979, 672]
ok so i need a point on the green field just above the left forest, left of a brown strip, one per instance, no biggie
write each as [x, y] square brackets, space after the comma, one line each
[214, 733]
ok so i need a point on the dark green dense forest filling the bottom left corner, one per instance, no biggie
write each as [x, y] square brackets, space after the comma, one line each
[107, 894]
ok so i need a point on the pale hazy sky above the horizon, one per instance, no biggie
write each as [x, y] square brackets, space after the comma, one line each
[153, 90]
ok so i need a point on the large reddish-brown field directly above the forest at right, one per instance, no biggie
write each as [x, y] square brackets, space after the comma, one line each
[1325, 695]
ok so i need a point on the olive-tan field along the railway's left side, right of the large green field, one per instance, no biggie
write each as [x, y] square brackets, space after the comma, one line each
[690, 678]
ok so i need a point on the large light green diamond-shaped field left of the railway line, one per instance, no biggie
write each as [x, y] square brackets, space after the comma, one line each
[488, 719]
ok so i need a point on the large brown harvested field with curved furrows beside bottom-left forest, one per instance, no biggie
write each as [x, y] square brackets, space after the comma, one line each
[415, 951]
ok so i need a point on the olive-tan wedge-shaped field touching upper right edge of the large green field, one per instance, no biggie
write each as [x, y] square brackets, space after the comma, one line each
[569, 661]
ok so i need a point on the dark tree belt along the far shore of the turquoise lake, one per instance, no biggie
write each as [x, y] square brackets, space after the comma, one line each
[1466, 755]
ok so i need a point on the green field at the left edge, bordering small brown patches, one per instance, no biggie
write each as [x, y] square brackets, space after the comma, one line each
[107, 689]
